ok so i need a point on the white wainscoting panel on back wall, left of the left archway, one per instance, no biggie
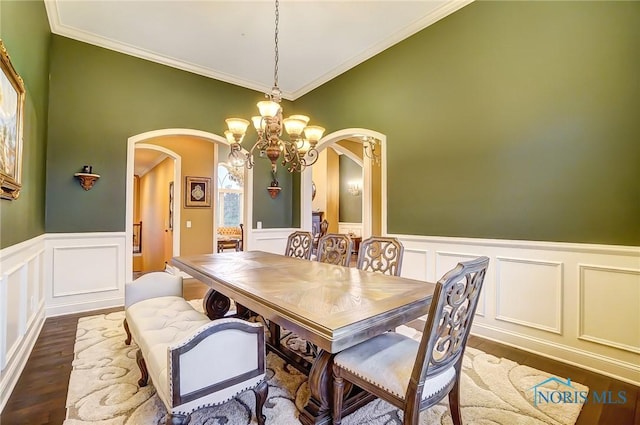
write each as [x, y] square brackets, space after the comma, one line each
[84, 271]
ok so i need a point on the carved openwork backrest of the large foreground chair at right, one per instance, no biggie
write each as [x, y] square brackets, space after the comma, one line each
[448, 324]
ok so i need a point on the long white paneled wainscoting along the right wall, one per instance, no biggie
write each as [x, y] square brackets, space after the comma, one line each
[577, 303]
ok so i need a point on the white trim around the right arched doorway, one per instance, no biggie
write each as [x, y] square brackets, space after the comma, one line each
[306, 183]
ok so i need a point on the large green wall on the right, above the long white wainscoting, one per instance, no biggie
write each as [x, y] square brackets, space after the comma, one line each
[506, 120]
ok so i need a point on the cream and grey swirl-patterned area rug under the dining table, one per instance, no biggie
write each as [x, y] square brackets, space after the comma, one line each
[103, 390]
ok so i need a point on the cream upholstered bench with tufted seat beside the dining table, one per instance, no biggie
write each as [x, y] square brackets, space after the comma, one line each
[192, 361]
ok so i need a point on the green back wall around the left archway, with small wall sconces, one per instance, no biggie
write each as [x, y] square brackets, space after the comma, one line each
[100, 98]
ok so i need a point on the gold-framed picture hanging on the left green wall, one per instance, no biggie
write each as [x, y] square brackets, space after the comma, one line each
[11, 116]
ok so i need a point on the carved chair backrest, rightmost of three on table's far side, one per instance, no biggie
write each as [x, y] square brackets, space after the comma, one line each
[380, 254]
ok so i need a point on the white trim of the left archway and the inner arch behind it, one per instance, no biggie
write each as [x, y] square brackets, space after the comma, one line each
[144, 139]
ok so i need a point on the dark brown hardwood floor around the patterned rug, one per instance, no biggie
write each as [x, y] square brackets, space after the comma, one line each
[40, 395]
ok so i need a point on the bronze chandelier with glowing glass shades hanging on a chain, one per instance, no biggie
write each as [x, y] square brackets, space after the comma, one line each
[297, 153]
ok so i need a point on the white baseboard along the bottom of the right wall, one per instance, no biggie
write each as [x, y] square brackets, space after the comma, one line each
[593, 362]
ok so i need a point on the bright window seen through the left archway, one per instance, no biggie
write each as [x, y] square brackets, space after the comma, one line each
[230, 195]
